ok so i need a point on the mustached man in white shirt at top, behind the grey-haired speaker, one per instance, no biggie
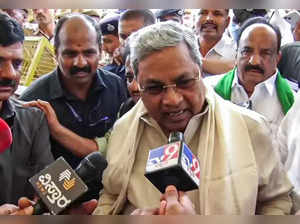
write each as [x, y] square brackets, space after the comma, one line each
[216, 47]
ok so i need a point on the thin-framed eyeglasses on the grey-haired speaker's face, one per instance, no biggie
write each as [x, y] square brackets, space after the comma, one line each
[183, 84]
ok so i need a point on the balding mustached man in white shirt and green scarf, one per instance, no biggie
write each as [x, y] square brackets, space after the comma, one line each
[255, 82]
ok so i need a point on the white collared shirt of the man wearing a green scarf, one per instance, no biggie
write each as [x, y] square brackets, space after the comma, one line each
[263, 100]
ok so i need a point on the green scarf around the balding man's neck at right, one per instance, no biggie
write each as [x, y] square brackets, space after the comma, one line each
[284, 92]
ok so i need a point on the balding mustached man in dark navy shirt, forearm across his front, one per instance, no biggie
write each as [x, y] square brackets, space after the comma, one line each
[81, 102]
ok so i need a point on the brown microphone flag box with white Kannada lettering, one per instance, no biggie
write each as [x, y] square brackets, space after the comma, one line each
[58, 185]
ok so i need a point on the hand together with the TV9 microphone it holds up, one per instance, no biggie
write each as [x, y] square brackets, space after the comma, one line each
[172, 169]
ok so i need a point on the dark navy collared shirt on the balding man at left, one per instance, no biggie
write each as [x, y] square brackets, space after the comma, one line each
[90, 118]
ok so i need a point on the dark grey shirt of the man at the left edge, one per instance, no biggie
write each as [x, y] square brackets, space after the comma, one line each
[29, 153]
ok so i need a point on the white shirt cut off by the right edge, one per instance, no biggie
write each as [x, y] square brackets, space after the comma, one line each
[289, 142]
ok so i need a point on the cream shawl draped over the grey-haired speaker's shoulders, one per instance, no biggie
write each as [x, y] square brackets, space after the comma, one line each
[241, 173]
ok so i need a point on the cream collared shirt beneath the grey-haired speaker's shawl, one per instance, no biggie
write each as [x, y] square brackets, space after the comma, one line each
[137, 185]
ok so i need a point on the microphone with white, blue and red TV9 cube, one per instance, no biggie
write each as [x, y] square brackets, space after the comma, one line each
[173, 164]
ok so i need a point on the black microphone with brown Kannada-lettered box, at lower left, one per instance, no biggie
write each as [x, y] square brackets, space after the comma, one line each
[59, 186]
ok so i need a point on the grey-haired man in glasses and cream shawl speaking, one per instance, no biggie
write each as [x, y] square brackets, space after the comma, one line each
[240, 172]
